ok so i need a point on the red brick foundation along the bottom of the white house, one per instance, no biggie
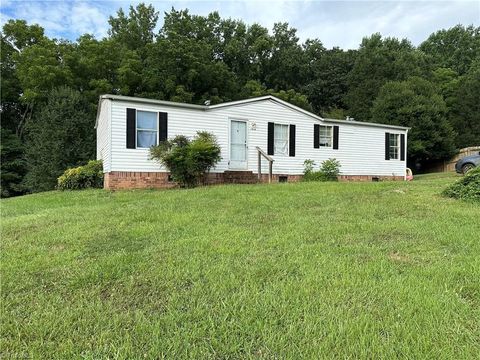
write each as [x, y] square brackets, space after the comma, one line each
[120, 180]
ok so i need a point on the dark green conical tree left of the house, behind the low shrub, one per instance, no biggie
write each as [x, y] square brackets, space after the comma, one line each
[61, 136]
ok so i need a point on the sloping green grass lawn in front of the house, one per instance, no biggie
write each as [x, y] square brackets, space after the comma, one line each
[307, 270]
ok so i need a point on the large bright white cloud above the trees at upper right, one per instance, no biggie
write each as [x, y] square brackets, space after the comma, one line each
[351, 21]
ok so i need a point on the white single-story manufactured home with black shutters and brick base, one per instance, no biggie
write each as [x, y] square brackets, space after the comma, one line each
[262, 129]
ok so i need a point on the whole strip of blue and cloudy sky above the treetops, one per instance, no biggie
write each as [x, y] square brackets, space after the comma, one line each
[335, 23]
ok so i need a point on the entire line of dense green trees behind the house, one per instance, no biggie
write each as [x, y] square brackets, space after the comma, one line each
[50, 87]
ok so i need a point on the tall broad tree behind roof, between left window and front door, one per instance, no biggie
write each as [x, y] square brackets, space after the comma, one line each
[184, 59]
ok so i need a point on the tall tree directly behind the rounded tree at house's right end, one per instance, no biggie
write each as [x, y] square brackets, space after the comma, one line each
[379, 61]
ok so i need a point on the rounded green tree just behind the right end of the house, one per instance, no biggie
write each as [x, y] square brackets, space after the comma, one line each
[416, 104]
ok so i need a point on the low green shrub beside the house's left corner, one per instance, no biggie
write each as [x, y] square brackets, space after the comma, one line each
[82, 177]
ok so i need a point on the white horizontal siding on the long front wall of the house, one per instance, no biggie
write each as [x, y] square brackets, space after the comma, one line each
[361, 148]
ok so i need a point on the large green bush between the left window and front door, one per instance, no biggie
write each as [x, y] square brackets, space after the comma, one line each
[188, 160]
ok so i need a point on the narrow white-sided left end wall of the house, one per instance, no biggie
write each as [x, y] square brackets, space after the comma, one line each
[104, 134]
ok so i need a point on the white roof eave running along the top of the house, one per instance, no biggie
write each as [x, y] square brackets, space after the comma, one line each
[241, 102]
